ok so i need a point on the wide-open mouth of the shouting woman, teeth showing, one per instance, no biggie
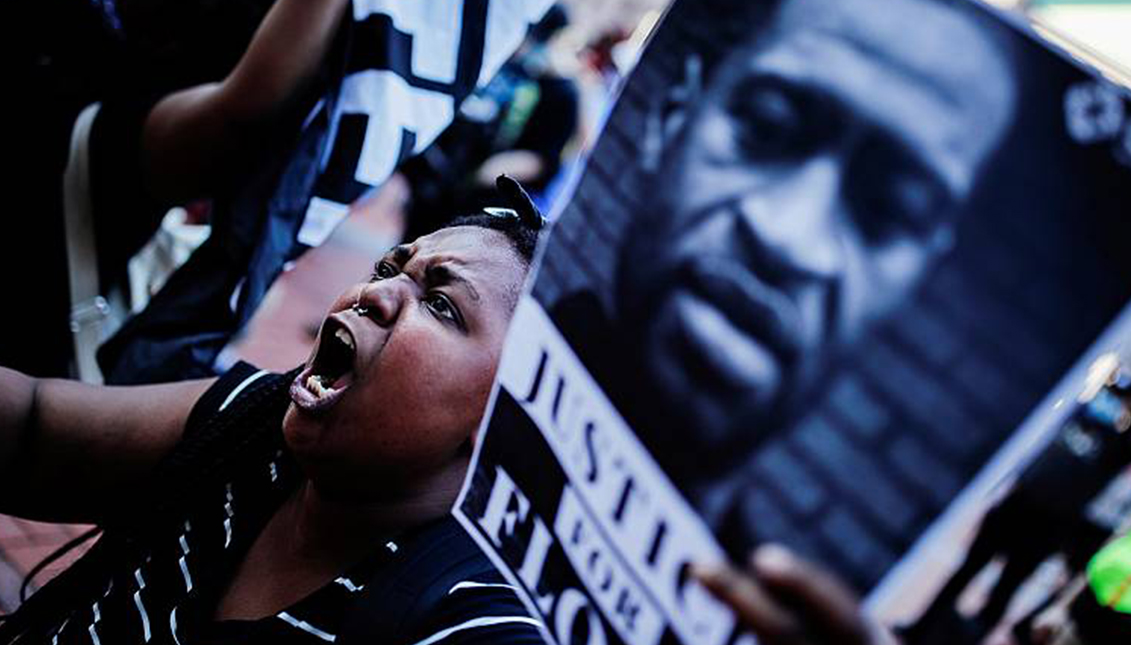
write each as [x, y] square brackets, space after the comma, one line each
[331, 374]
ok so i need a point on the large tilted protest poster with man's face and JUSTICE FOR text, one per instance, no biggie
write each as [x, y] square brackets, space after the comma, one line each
[825, 263]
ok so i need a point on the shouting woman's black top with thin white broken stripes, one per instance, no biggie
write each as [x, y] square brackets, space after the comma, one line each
[160, 572]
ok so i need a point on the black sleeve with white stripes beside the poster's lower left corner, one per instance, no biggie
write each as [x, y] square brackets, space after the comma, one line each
[478, 613]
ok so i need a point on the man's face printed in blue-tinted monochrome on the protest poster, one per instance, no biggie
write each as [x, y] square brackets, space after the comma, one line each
[806, 193]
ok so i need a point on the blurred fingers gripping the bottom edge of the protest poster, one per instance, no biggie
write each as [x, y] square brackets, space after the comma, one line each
[785, 600]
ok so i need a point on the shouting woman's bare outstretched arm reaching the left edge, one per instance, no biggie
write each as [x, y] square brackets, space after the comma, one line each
[70, 452]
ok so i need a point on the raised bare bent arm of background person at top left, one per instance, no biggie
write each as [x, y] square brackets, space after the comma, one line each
[197, 139]
